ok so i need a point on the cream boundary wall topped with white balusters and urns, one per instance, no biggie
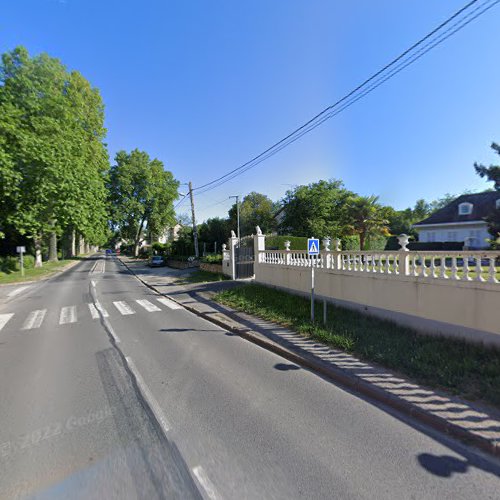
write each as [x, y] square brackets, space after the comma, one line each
[451, 293]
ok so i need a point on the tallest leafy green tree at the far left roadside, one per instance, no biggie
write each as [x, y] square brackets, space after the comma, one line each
[52, 158]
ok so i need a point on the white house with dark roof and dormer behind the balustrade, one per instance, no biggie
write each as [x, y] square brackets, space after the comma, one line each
[461, 220]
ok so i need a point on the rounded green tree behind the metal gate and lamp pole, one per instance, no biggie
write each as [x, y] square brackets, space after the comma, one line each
[256, 209]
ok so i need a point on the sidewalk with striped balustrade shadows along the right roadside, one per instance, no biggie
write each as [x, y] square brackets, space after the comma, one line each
[473, 423]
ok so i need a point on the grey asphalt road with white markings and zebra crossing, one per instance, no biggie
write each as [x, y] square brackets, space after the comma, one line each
[108, 392]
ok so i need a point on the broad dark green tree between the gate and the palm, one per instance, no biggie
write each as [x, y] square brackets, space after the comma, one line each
[319, 209]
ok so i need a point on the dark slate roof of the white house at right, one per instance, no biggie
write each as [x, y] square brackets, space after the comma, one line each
[483, 204]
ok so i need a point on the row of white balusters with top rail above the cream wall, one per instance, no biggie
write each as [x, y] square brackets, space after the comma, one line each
[480, 266]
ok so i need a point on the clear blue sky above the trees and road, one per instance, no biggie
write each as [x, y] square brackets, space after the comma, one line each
[204, 86]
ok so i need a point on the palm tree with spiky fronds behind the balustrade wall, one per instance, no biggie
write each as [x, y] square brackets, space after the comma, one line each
[367, 218]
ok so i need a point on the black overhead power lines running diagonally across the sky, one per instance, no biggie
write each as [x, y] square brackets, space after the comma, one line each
[350, 98]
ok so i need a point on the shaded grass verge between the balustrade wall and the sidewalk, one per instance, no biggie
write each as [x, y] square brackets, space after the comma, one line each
[470, 371]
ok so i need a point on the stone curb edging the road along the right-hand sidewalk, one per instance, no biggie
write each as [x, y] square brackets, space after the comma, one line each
[347, 380]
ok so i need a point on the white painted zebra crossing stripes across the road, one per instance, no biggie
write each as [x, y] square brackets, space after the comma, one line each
[72, 314]
